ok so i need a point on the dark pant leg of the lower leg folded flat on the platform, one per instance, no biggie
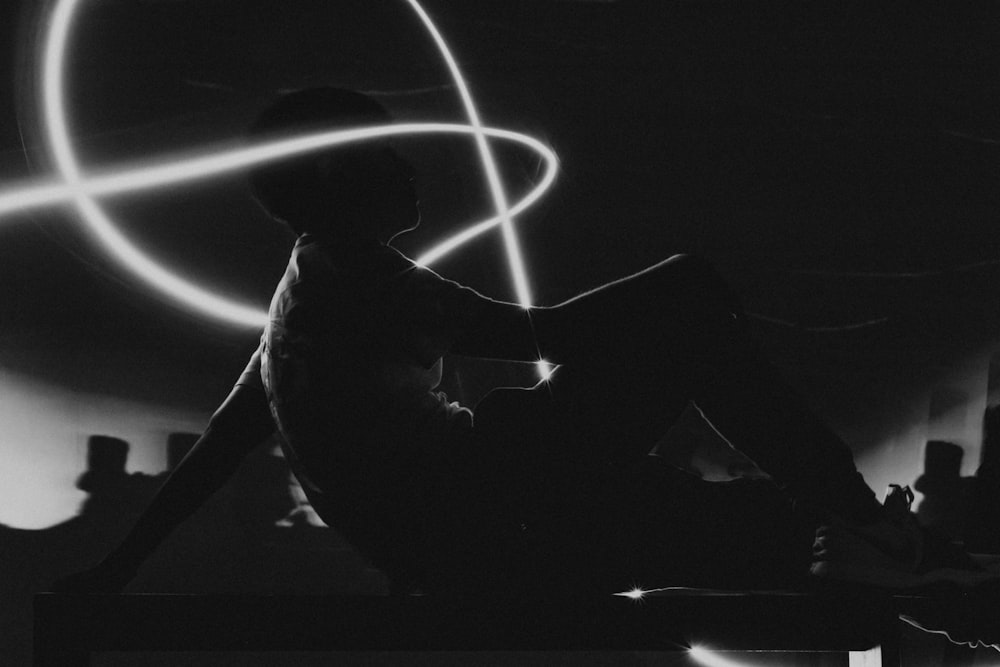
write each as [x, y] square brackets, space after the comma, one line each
[605, 525]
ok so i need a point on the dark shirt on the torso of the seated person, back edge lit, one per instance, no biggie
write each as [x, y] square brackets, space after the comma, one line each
[351, 362]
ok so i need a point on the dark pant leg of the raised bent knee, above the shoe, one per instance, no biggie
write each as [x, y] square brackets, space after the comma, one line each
[677, 328]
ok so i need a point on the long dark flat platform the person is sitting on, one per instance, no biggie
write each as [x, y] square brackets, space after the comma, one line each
[68, 628]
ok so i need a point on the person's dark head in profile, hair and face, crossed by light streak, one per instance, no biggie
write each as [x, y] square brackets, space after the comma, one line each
[356, 191]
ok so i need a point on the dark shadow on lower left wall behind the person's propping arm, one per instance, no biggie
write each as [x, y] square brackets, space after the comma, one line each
[256, 535]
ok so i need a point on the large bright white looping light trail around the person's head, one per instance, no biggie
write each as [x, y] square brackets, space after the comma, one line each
[83, 190]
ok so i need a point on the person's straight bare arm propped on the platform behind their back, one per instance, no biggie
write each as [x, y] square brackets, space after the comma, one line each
[242, 422]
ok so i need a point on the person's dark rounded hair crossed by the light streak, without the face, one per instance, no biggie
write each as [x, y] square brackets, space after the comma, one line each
[304, 192]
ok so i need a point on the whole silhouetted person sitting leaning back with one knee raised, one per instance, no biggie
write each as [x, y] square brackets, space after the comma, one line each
[545, 487]
